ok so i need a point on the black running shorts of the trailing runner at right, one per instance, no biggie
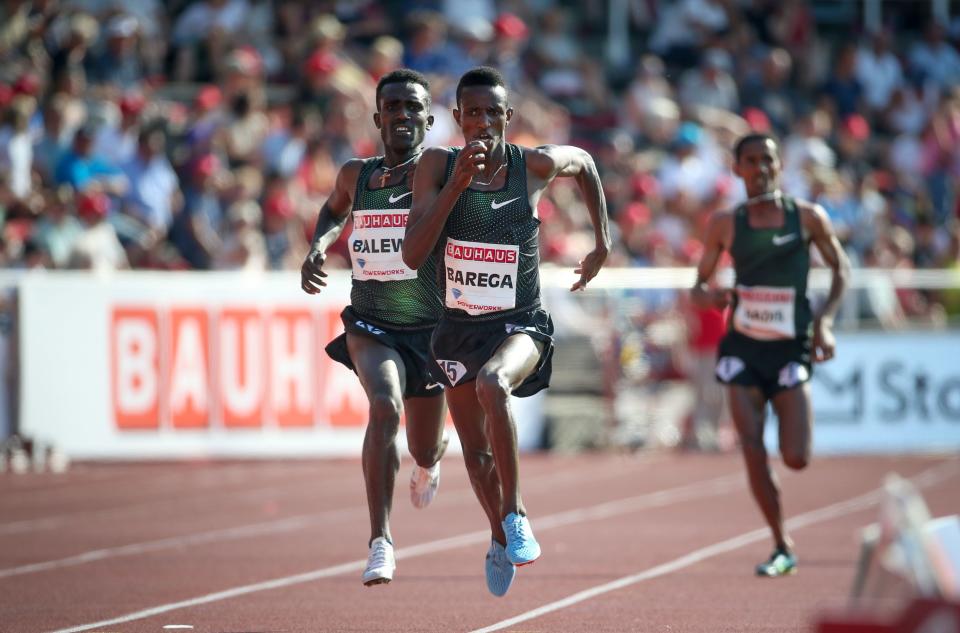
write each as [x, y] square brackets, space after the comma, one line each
[773, 366]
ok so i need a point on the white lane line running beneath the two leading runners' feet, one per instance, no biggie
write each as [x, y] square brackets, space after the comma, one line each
[700, 489]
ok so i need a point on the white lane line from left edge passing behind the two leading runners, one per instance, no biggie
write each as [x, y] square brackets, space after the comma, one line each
[289, 524]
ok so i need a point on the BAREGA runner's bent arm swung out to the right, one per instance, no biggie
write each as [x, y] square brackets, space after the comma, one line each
[547, 162]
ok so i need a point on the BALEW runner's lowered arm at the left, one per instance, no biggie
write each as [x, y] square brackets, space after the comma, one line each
[330, 222]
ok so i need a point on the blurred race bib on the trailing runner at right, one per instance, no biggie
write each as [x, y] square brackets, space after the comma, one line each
[765, 313]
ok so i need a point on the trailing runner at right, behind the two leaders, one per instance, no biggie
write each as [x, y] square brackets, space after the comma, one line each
[774, 336]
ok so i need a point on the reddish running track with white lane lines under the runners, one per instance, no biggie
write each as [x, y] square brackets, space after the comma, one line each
[650, 542]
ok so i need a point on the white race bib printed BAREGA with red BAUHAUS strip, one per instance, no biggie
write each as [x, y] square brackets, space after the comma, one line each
[480, 278]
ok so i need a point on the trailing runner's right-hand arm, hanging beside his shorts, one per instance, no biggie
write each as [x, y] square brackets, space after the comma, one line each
[818, 227]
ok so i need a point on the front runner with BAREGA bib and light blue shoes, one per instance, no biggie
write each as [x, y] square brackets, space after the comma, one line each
[475, 209]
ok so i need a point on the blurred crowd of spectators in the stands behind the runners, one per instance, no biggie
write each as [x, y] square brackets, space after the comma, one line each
[205, 134]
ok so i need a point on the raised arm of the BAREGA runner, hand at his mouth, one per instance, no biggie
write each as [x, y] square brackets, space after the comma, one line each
[433, 199]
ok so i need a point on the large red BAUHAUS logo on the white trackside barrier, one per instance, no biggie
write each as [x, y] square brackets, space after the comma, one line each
[231, 367]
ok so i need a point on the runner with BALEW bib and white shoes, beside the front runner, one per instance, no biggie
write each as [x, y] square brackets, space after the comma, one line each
[393, 309]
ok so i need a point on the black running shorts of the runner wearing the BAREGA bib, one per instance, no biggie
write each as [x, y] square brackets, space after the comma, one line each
[460, 347]
